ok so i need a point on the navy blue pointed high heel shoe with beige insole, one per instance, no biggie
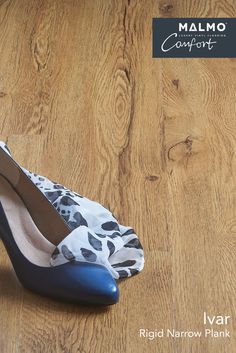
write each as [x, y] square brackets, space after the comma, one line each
[30, 230]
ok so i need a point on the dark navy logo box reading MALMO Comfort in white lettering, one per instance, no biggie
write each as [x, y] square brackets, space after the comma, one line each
[201, 32]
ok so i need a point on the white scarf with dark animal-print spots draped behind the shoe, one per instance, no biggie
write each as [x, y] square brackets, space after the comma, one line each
[96, 234]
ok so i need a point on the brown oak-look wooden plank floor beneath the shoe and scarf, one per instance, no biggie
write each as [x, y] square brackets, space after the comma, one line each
[83, 102]
